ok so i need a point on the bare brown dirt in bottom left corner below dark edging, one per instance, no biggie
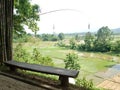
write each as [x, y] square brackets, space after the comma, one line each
[7, 83]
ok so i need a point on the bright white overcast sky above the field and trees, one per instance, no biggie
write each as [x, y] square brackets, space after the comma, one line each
[77, 14]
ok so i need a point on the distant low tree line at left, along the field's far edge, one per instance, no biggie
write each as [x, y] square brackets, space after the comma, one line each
[43, 37]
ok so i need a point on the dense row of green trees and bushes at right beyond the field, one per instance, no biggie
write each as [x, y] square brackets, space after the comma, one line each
[102, 41]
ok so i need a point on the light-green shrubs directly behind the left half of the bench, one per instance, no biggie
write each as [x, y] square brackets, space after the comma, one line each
[22, 55]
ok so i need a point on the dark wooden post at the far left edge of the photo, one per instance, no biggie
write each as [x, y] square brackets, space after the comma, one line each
[2, 31]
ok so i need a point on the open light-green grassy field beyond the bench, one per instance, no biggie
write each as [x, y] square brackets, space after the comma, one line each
[90, 62]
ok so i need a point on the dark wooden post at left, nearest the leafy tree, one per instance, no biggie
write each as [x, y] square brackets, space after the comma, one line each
[9, 28]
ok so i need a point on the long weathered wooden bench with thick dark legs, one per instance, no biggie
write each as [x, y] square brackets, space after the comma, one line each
[63, 74]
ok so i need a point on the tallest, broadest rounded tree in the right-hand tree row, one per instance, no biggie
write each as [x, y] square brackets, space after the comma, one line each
[102, 42]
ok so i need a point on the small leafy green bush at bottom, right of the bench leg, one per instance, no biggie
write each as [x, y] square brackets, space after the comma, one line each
[85, 84]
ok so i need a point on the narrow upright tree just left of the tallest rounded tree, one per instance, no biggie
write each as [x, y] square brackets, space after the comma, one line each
[89, 38]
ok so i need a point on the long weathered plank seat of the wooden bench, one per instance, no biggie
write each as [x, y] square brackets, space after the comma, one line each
[43, 69]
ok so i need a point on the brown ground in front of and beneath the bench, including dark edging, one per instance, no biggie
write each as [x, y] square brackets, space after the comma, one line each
[14, 81]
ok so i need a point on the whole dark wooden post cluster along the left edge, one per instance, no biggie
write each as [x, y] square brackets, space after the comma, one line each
[6, 26]
